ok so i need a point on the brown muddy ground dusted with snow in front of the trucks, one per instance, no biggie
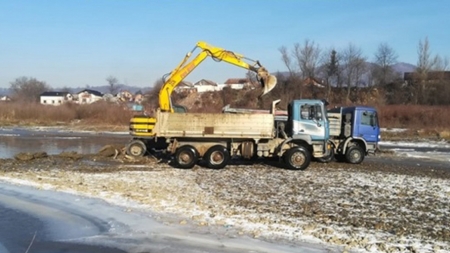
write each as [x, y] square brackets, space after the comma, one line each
[384, 204]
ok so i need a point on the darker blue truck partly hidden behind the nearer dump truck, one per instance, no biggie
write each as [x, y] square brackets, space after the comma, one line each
[354, 132]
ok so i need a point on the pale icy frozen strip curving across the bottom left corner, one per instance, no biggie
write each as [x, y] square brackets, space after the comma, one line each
[74, 219]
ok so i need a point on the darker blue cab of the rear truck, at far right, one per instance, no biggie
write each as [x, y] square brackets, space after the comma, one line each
[368, 127]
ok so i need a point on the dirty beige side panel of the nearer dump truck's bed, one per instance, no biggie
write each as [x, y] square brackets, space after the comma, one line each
[217, 125]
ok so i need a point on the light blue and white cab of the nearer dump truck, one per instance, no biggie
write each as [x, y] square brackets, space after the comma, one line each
[309, 119]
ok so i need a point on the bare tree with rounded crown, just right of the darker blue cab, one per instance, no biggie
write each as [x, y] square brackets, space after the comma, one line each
[385, 57]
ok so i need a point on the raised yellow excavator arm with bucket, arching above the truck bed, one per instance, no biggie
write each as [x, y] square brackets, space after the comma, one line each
[183, 69]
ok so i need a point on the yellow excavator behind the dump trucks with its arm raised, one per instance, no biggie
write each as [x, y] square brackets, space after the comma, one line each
[142, 126]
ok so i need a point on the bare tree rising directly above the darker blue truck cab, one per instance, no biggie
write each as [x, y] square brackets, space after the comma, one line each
[354, 64]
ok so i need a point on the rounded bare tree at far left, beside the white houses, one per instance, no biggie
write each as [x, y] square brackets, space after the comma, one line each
[28, 89]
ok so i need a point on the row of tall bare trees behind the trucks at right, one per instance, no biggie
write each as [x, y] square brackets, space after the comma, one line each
[349, 69]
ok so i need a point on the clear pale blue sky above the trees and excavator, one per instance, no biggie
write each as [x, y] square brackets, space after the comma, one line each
[74, 43]
